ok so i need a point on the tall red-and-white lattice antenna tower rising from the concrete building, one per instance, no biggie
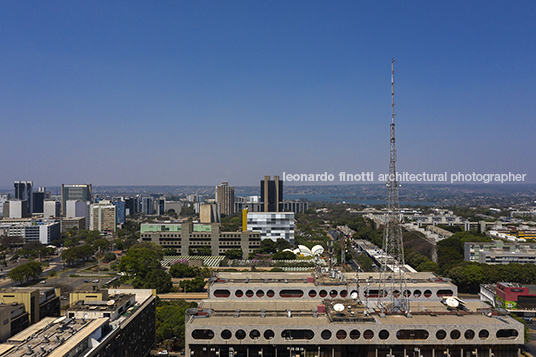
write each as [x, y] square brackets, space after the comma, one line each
[393, 296]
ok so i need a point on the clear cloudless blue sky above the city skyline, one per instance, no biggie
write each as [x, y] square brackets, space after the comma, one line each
[198, 92]
